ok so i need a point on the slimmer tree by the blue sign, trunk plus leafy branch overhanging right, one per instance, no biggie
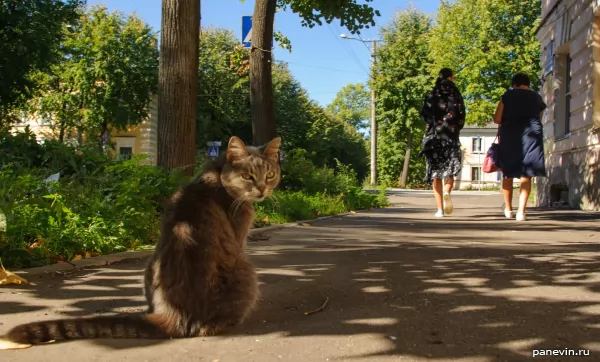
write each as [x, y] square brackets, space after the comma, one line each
[352, 15]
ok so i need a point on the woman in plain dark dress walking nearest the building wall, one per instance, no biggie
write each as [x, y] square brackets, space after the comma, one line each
[521, 151]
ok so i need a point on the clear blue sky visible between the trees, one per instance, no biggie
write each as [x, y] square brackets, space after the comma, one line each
[320, 60]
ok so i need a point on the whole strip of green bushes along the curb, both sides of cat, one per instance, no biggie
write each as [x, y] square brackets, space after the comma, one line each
[101, 205]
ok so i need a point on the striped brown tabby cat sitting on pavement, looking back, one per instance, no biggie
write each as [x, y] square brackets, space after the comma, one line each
[198, 281]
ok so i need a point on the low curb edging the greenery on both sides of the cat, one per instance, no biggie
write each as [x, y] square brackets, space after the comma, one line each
[140, 254]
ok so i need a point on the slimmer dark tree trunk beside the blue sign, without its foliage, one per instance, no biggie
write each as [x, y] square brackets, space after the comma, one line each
[261, 81]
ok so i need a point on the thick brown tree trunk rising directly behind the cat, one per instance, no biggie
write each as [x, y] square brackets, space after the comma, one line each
[177, 85]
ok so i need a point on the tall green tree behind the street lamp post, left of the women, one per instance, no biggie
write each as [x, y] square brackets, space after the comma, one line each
[402, 79]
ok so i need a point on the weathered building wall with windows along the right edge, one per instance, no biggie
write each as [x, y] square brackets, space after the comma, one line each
[571, 121]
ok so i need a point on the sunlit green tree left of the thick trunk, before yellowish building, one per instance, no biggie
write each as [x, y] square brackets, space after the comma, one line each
[106, 79]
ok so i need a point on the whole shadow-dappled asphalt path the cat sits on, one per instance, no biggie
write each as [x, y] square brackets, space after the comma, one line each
[402, 286]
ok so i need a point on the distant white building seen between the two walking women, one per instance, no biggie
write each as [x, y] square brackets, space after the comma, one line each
[475, 141]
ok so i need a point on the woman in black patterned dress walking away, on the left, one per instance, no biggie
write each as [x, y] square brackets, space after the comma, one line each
[444, 112]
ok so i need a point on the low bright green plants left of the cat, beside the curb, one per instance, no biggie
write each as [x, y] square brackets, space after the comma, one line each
[118, 210]
